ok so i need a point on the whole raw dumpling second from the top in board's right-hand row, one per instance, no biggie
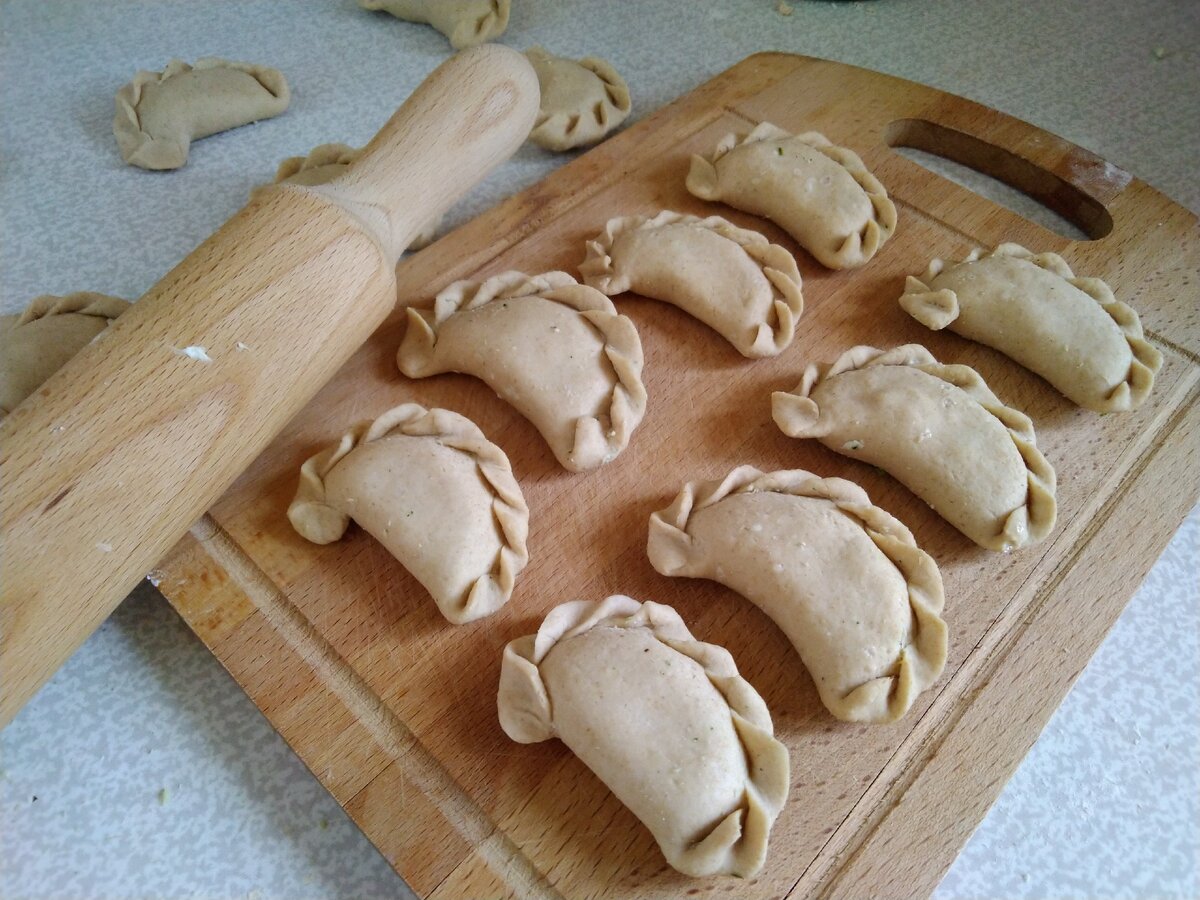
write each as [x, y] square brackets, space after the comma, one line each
[937, 429]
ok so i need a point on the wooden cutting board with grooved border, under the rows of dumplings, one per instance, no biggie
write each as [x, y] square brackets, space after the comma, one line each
[394, 710]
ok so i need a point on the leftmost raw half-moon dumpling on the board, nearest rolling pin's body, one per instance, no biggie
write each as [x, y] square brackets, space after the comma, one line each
[430, 488]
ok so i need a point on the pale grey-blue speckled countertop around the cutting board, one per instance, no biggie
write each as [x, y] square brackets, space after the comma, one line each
[143, 770]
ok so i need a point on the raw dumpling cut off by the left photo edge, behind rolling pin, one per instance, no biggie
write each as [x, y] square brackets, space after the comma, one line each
[39, 343]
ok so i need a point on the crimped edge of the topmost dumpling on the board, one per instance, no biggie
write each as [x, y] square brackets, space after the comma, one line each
[859, 248]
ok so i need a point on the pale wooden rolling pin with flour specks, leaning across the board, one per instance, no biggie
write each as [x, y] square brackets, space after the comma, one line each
[122, 451]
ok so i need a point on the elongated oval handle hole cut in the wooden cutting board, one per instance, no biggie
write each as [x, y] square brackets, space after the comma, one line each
[1003, 177]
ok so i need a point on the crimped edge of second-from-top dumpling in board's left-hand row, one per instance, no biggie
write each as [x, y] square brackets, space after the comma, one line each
[777, 265]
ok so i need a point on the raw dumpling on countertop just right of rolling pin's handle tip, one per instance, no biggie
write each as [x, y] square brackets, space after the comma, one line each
[581, 101]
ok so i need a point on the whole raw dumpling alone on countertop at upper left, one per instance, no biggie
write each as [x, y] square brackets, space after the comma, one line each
[159, 115]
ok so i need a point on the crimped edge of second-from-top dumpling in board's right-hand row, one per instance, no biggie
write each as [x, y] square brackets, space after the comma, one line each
[797, 416]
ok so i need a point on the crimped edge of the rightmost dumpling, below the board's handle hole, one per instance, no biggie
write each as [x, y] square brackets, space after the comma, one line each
[937, 309]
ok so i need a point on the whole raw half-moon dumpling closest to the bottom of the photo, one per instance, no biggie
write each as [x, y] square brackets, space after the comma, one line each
[664, 721]
